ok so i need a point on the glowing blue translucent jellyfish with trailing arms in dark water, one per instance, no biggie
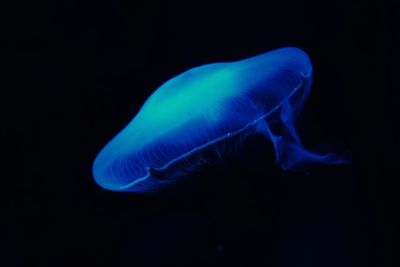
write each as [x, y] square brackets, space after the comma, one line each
[189, 120]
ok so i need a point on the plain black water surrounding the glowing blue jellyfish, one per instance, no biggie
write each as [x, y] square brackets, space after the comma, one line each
[78, 71]
